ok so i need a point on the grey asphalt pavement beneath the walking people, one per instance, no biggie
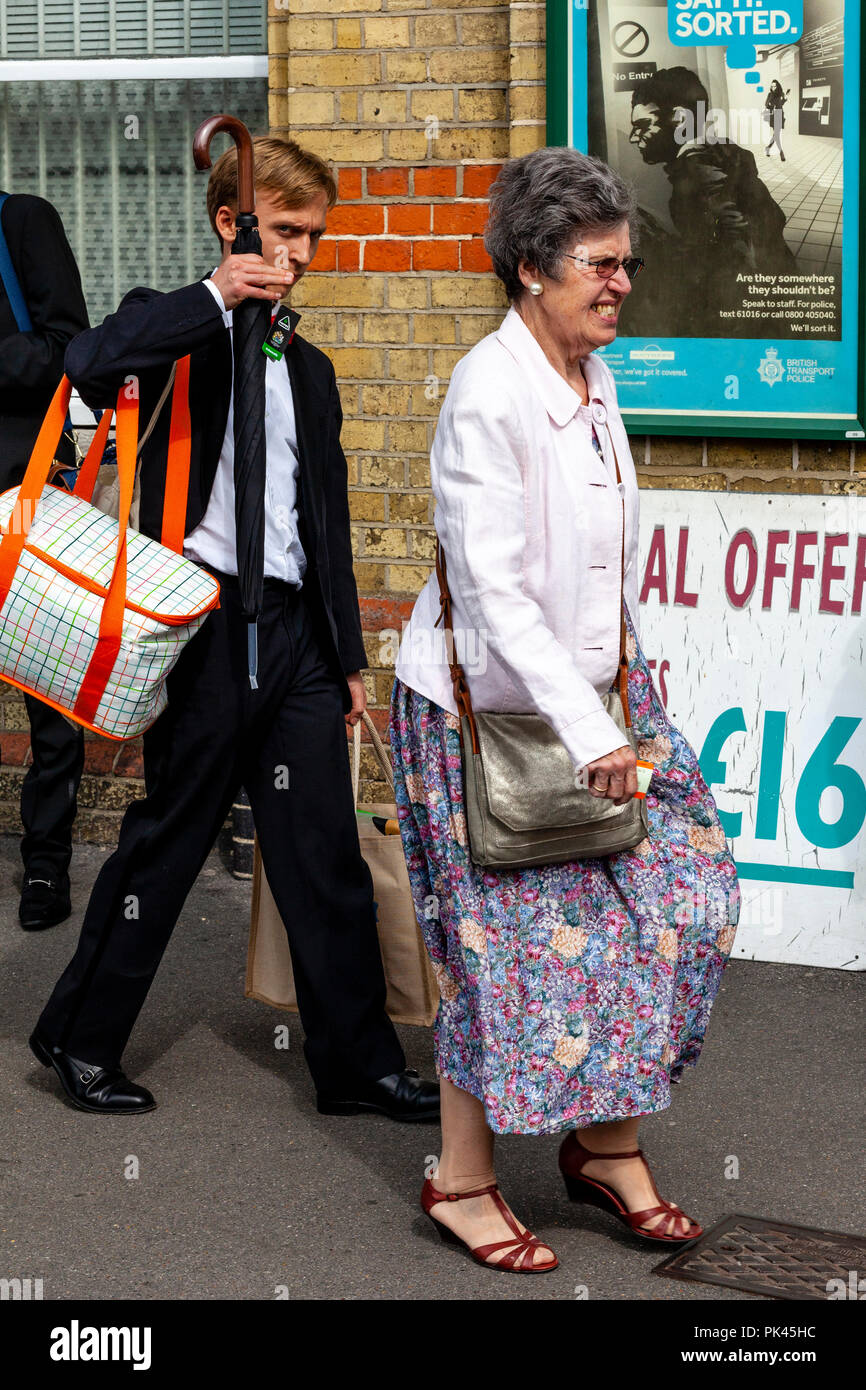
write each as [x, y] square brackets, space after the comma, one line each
[236, 1188]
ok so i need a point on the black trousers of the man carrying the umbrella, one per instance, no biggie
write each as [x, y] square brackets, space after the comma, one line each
[287, 744]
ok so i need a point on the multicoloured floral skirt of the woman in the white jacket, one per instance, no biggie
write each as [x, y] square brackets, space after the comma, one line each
[571, 993]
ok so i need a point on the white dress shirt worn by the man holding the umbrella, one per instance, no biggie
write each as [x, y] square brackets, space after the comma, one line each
[213, 541]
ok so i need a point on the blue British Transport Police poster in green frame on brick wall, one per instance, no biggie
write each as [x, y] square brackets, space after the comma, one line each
[739, 127]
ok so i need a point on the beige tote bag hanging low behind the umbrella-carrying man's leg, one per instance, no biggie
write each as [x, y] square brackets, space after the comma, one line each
[414, 996]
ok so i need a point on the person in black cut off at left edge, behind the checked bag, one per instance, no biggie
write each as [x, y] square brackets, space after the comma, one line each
[31, 366]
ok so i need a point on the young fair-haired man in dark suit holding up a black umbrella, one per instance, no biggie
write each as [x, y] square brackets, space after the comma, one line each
[286, 737]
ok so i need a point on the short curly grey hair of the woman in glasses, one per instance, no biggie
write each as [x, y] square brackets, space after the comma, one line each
[546, 202]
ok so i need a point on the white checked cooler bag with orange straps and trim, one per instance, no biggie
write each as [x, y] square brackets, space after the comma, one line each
[92, 614]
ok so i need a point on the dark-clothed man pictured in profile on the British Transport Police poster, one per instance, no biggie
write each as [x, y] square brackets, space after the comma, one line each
[726, 220]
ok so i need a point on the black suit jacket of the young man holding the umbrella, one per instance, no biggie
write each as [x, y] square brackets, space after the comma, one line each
[149, 332]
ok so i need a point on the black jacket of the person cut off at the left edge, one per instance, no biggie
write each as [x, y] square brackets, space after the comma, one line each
[31, 365]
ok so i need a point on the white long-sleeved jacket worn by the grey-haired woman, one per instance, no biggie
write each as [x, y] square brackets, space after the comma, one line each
[530, 521]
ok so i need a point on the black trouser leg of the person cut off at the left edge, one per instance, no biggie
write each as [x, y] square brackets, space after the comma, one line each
[49, 794]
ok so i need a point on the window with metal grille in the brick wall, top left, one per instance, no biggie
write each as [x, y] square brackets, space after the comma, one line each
[113, 148]
